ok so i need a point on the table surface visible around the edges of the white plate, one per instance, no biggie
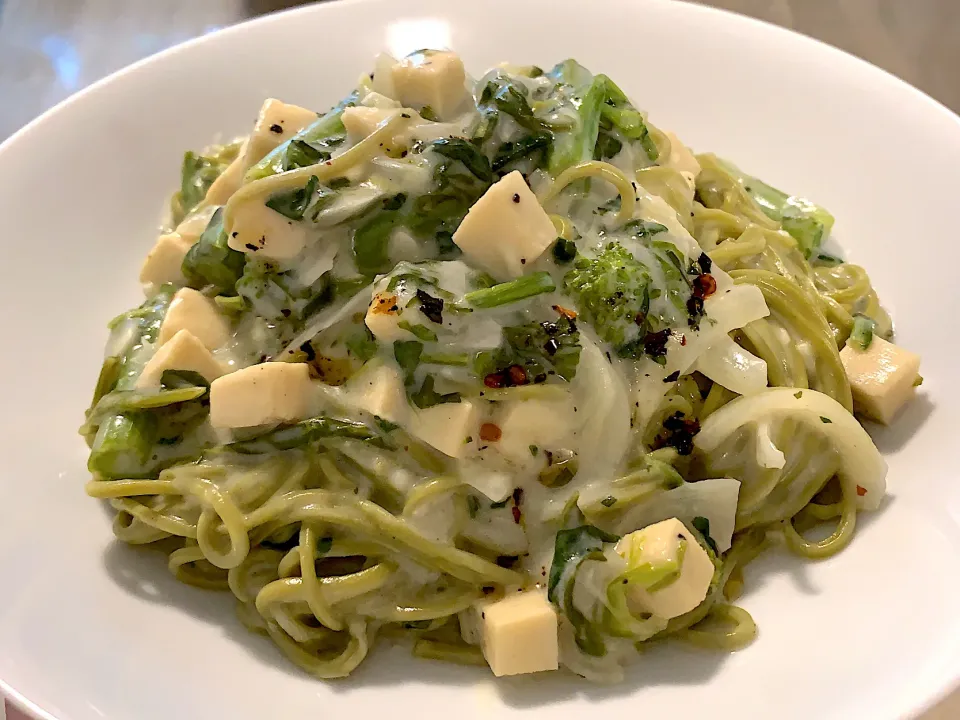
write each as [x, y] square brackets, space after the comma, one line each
[49, 49]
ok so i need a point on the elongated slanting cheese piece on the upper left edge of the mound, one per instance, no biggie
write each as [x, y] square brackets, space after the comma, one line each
[278, 122]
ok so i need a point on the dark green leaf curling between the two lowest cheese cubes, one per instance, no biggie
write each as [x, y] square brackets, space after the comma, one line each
[571, 548]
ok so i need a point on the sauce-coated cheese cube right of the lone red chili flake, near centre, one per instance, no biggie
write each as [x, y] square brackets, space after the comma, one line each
[546, 424]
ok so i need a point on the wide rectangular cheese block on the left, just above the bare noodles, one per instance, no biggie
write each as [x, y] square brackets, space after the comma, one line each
[271, 392]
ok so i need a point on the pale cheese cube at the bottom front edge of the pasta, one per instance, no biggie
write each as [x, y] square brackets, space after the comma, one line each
[520, 634]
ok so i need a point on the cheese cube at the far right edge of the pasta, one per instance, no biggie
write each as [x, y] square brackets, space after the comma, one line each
[883, 378]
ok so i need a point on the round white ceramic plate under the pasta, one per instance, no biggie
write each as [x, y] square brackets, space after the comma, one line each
[92, 630]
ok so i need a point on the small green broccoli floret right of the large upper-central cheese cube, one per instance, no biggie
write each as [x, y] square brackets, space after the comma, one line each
[612, 291]
